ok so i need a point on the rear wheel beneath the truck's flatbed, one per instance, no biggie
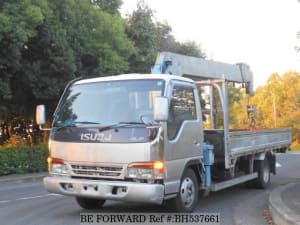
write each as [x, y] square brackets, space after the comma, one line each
[263, 169]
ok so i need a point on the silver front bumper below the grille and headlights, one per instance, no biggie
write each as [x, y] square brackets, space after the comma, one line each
[109, 190]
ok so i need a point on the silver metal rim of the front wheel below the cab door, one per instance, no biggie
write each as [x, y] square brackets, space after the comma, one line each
[187, 192]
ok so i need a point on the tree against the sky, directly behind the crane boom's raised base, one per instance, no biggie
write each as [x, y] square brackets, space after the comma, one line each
[150, 37]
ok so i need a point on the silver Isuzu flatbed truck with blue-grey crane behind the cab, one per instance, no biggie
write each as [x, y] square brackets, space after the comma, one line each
[141, 138]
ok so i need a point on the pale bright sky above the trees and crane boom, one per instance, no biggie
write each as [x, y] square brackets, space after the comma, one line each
[261, 33]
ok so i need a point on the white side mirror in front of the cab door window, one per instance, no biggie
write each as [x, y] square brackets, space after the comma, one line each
[161, 109]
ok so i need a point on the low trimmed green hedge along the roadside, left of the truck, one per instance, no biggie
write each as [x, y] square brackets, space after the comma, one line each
[18, 160]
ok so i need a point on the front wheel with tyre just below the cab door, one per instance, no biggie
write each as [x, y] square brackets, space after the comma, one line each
[187, 197]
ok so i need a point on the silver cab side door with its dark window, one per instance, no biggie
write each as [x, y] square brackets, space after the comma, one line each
[184, 134]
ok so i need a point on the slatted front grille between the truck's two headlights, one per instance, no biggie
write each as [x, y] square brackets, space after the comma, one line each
[97, 171]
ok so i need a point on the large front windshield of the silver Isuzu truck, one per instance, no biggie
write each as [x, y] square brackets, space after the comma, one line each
[107, 103]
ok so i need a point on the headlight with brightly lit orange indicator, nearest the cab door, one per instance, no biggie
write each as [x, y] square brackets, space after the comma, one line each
[146, 170]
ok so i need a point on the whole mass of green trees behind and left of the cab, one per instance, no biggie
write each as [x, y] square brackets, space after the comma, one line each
[44, 44]
